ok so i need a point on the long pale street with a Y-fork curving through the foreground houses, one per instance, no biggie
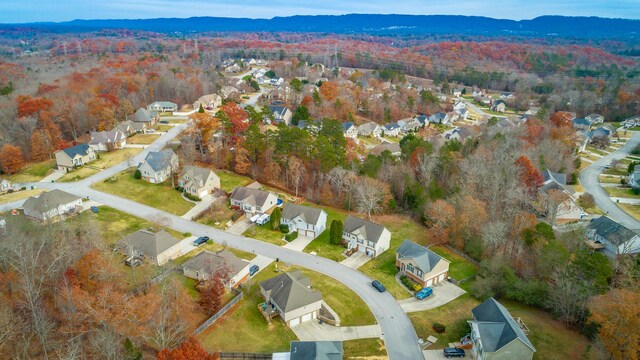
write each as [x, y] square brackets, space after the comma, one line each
[399, 335]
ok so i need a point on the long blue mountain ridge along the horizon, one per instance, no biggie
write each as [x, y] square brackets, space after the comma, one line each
[582, 27]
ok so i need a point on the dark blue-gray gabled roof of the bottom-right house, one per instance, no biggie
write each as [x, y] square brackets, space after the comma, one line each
[496, 326]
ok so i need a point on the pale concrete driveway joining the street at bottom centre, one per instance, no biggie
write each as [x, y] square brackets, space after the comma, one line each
[314, 331]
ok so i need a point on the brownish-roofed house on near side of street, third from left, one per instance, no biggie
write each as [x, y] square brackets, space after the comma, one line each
[233, 270]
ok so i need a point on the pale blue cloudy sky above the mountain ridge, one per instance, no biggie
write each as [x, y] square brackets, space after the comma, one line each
[20, 11]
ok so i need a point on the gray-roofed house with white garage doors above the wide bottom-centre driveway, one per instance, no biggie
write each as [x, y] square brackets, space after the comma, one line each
[290, 296]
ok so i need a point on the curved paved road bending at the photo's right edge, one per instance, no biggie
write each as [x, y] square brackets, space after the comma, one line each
[589, 178]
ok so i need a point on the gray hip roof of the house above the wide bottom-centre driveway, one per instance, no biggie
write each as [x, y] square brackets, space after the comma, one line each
[290, 291]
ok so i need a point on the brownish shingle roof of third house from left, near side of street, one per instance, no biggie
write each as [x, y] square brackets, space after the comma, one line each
[210, 262]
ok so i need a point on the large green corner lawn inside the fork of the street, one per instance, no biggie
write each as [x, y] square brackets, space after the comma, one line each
[160, 196]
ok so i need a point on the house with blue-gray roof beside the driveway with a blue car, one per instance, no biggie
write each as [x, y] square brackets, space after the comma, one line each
[421, 264]
